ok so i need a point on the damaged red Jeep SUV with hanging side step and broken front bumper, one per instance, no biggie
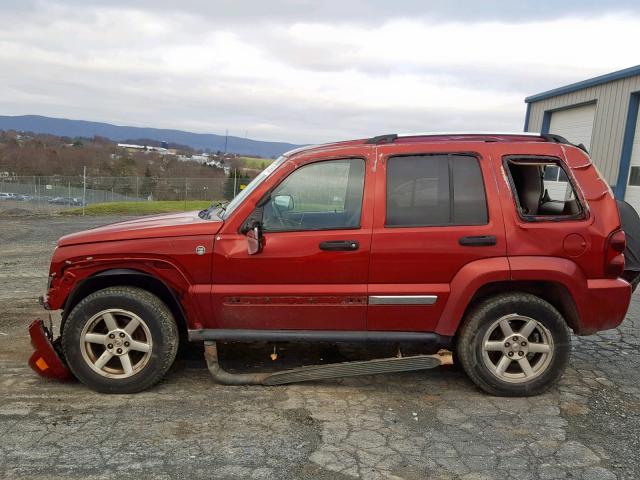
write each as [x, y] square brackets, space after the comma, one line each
[491, 246]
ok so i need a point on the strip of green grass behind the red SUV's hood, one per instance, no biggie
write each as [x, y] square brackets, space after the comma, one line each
[139, 208]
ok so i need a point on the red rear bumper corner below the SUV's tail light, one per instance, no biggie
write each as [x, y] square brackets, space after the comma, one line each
[605, 305]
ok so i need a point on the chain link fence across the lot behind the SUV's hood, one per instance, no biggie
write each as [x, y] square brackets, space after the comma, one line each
[51, 194]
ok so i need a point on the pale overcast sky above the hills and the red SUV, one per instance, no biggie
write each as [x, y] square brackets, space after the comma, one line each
[304, 71]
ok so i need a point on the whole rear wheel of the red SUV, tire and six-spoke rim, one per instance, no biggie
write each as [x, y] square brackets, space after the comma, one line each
[514, 345]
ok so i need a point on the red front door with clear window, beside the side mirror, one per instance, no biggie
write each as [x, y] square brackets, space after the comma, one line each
[312, 271]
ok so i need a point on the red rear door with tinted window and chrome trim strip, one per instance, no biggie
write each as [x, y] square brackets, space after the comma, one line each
[435, 212]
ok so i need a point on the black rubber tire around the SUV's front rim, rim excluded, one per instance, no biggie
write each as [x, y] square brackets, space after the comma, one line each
[158, 320]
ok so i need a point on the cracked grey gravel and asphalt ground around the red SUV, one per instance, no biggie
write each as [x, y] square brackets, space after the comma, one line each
[432, 425]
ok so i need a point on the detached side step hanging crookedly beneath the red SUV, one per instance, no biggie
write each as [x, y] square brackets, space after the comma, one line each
[321, 372]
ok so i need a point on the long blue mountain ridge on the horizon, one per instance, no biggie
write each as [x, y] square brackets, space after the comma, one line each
[199, 141]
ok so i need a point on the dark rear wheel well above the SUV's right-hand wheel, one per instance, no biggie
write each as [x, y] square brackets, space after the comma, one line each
[554, 293]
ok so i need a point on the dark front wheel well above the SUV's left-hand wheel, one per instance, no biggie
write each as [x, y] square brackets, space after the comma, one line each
[131, 278]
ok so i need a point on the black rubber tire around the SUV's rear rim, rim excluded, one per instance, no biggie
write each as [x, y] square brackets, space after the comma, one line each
[477, 324]
